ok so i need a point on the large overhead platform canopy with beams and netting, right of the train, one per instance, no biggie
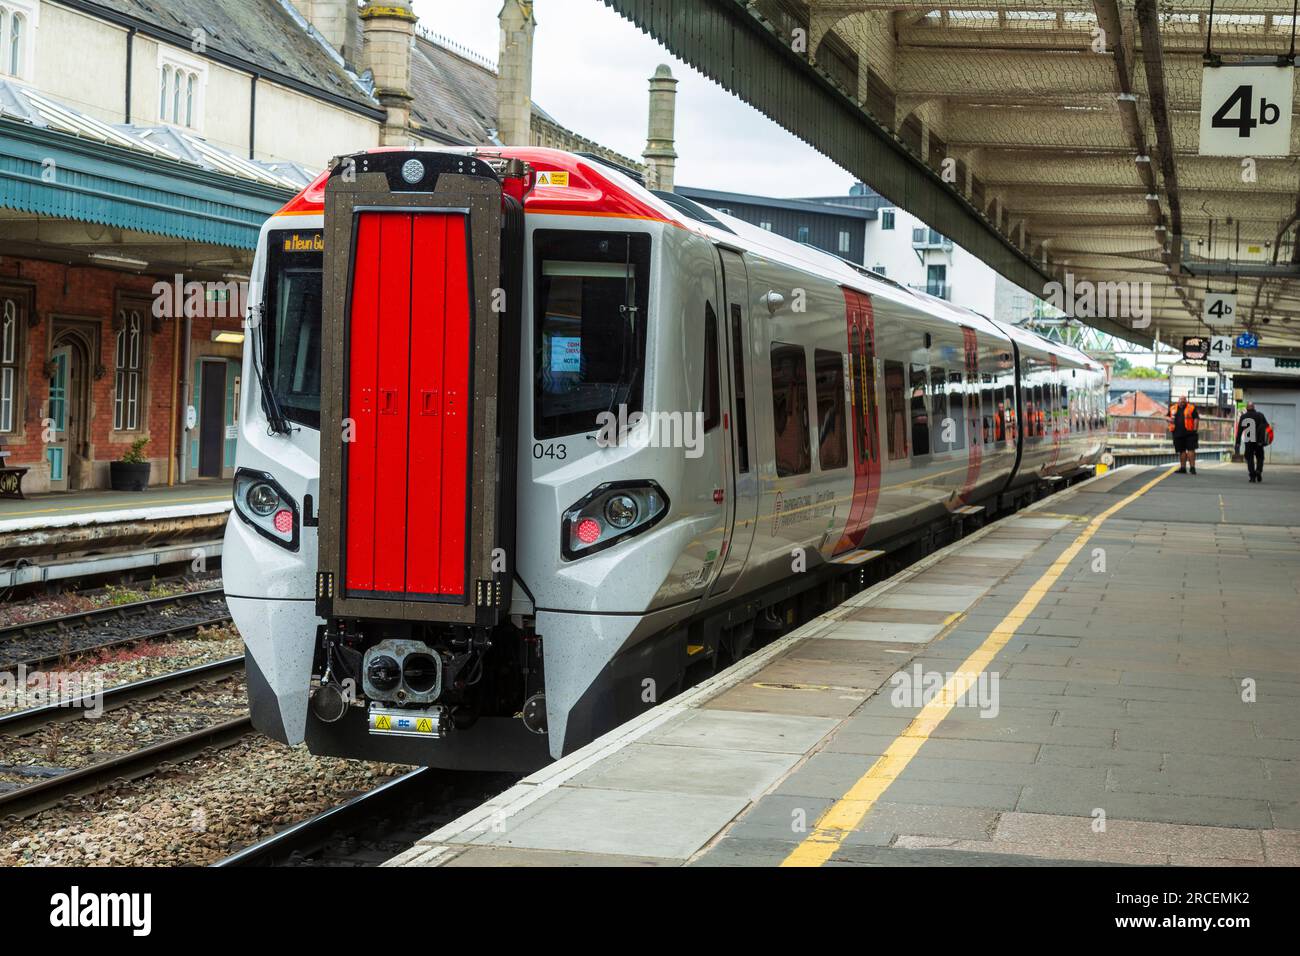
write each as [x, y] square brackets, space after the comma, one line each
[1046, 137]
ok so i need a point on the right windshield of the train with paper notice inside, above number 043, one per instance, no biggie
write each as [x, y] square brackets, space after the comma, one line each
[591, 327]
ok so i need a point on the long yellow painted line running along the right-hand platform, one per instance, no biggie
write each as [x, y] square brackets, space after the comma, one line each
[842, 817]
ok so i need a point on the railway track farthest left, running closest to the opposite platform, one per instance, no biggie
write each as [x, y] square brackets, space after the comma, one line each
[37, 644]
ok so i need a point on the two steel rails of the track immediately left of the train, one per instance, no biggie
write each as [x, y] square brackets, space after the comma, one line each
[54, 791]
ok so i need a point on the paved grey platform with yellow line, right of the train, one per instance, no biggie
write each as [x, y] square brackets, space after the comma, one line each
[1108, 677]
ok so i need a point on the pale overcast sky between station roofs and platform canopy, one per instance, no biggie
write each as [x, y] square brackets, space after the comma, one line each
[591, 72]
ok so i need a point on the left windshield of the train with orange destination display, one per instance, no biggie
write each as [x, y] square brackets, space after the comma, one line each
[291, 330]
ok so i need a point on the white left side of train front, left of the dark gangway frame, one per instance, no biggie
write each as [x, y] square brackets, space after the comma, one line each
[270, 550]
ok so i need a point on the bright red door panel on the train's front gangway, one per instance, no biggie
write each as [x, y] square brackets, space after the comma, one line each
[408, 469]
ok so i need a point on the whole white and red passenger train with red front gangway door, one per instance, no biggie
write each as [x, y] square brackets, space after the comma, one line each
[527, 448]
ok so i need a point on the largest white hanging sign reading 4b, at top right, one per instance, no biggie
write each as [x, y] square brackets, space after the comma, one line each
[1246, 111]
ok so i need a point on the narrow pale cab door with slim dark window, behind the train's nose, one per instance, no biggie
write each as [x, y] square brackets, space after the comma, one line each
[742, 490]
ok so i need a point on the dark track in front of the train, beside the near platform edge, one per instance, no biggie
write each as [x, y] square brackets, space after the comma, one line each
[376, 827]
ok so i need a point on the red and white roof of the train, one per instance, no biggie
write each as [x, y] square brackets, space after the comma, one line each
[591, 187]
